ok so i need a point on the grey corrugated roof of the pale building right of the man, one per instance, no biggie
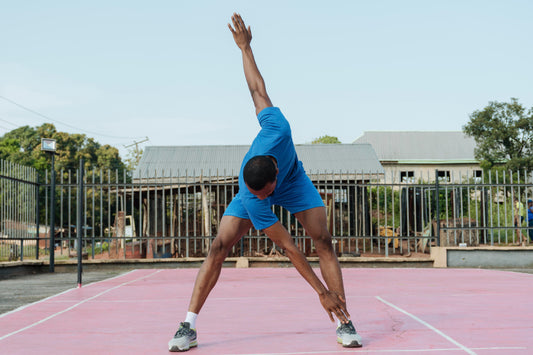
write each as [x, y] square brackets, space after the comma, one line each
[421, 146]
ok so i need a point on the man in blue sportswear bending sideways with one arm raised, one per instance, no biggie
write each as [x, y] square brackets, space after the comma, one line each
[271, 174]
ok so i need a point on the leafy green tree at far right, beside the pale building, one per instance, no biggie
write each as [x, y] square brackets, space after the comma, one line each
[504, 135]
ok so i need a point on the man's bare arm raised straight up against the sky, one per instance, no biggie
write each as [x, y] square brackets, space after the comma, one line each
[256, 84]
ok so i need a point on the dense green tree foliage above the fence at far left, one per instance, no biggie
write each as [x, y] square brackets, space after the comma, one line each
[23, 146]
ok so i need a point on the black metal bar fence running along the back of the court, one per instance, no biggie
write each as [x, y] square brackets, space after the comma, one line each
[178, 216]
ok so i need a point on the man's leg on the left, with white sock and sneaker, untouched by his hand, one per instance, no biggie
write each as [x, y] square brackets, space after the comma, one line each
[230, 231]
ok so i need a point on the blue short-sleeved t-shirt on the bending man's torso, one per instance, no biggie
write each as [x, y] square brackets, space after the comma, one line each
[274, 140]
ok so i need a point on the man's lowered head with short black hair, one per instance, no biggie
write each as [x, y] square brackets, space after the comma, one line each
[259, 174]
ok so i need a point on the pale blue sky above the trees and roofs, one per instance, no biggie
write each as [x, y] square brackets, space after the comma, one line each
[119, 71]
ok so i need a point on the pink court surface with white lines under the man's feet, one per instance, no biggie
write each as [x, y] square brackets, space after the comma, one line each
[274, 311]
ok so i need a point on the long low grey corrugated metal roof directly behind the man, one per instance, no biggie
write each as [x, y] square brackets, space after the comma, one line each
[165, 161]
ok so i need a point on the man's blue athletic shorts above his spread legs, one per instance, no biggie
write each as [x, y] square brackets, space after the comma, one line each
[296, 195]
